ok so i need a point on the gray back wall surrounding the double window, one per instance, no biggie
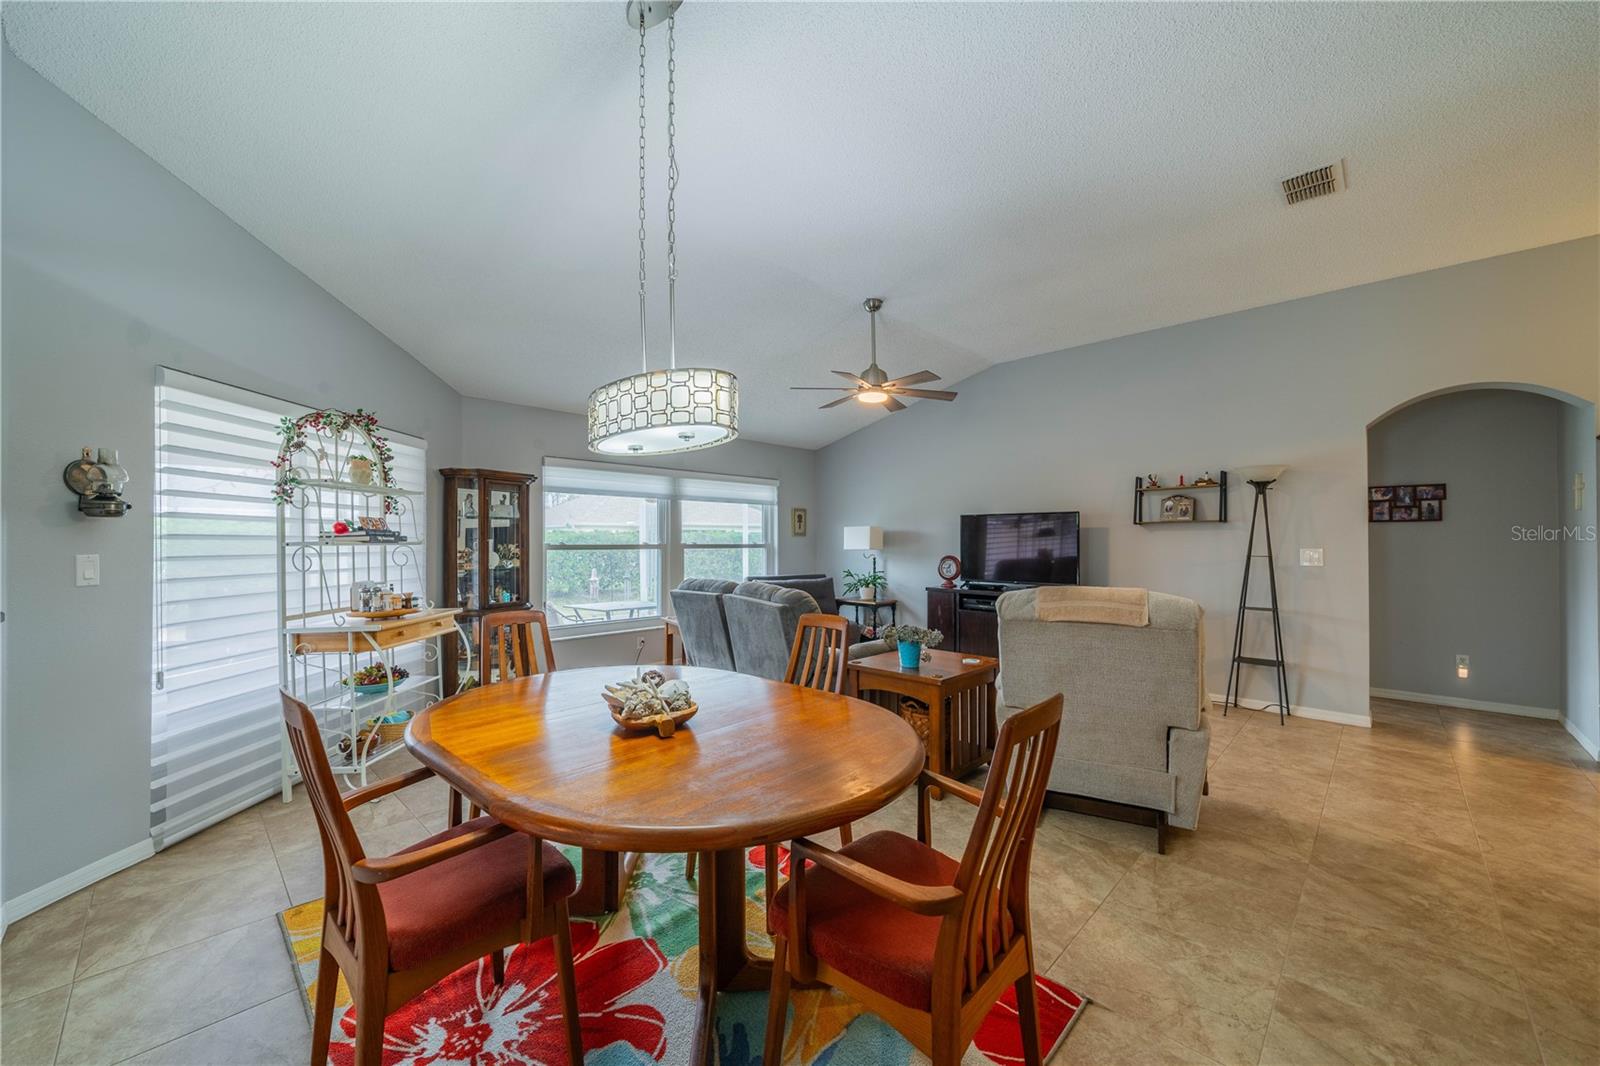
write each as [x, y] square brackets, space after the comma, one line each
[511, 438]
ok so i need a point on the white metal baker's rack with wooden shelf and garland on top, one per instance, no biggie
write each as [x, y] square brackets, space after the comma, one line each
[321, 643]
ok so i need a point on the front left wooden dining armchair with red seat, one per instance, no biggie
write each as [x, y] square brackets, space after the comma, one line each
[398, 926]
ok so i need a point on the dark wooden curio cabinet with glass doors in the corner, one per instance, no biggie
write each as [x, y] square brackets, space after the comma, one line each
[487, 551]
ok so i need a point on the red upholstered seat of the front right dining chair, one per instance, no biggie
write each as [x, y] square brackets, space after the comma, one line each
[866, 937]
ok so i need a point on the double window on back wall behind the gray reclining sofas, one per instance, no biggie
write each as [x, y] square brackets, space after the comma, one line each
[618, 537]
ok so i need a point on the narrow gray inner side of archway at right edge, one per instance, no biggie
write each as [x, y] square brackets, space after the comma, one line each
[1582, 577]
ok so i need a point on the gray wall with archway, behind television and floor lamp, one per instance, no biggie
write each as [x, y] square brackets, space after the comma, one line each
[1292, 383]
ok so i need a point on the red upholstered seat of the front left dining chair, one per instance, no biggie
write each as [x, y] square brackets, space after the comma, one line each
[455, 902]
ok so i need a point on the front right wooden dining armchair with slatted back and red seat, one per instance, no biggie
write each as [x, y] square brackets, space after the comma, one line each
[921, 940]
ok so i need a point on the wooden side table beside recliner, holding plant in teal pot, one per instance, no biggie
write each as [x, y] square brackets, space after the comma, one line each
[959, 694]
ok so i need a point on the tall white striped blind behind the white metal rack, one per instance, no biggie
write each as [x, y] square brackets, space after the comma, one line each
[215, 713]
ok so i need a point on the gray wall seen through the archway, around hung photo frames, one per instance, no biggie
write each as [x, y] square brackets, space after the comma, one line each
[1466, 585]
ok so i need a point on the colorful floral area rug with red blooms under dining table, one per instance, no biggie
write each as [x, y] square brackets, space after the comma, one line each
[636, 992]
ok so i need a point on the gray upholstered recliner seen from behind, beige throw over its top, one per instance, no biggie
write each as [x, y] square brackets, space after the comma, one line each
[1134, 737]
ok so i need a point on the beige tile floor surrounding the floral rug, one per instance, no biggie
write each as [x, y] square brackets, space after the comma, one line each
[1422, 892]
